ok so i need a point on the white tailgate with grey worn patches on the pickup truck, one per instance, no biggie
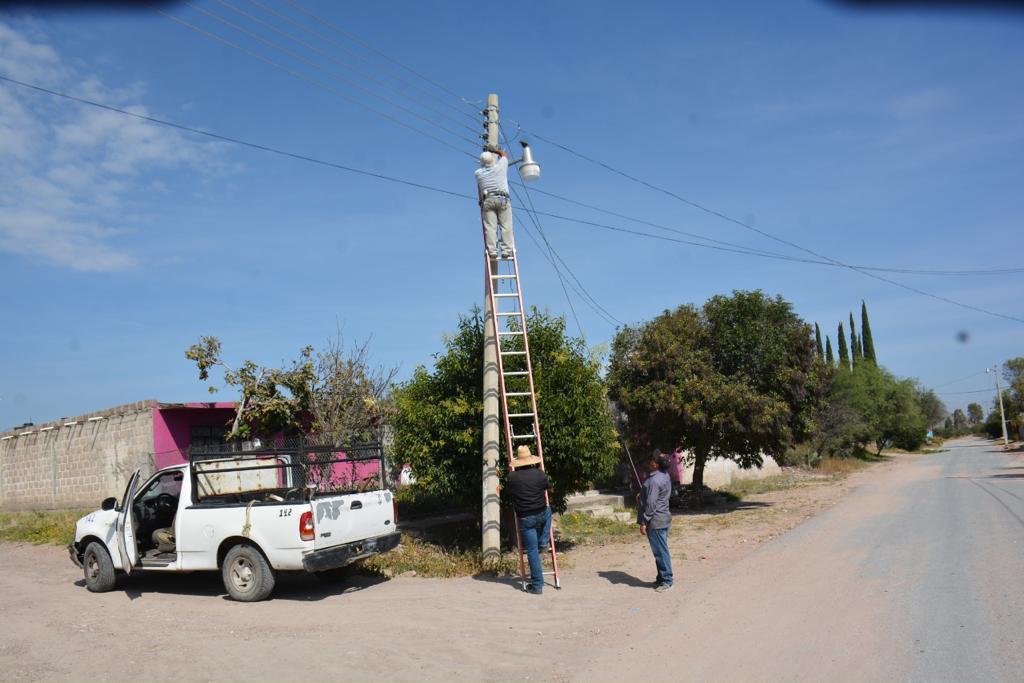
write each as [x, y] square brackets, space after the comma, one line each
[346, 519]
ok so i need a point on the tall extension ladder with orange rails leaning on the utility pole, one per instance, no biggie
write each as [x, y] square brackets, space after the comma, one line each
[519, 397]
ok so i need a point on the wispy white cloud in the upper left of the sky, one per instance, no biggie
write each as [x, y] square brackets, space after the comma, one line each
[69, 174]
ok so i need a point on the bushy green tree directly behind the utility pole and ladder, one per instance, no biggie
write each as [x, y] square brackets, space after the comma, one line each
[439, 414]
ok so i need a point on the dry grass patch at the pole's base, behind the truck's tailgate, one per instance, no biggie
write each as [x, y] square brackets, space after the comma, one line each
[433, 561]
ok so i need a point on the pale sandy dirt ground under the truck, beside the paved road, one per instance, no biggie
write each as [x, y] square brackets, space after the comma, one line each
[183, 628]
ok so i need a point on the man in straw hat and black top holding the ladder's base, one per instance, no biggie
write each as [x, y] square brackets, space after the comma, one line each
[529, 487]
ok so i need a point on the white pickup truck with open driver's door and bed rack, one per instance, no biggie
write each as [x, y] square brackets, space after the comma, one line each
[248, 515]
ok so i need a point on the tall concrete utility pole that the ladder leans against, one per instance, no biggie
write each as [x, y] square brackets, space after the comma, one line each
[491, 523]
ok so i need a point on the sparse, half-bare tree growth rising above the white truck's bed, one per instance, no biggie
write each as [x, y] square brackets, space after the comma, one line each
[332, 394]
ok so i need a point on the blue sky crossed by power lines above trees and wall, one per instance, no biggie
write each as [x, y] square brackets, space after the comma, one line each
[881, 139]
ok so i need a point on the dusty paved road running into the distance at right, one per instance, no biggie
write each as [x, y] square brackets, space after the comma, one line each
[918, 575]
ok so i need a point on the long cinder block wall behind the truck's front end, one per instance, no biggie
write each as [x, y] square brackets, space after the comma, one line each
[76, 466]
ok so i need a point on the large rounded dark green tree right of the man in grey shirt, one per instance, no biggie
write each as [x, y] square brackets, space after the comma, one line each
[737, 379]
